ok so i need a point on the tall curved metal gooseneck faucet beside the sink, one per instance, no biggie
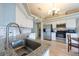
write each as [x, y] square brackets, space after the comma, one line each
[7, 33]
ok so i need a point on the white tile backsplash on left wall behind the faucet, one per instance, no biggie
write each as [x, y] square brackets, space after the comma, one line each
[14, 31]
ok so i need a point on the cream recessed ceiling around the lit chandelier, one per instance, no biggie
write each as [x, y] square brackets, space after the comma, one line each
[41, 9]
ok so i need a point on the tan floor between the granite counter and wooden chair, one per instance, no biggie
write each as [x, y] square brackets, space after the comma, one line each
[60, 49]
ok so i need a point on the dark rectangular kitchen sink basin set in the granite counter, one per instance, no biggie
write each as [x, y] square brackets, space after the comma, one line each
[28, 47]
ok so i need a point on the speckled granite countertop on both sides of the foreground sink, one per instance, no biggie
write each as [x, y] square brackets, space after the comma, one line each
[38, 52]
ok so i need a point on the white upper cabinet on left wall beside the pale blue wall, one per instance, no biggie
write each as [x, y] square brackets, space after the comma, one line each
[22, 20]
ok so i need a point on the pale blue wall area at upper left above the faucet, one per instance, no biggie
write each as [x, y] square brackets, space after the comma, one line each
[7, 13]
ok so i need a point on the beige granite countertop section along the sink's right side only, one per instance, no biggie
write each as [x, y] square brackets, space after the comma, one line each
[40, 50]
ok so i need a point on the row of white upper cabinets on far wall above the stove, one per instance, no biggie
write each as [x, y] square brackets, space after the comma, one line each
[70, 23]
